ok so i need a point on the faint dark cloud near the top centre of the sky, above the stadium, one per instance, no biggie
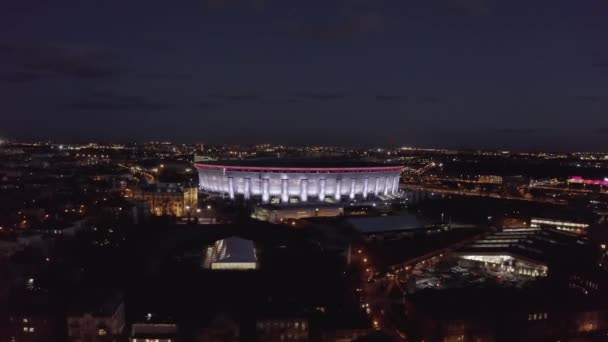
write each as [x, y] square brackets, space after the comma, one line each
[336, 28]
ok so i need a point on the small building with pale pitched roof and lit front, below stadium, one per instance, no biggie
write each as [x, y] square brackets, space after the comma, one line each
[232, 253]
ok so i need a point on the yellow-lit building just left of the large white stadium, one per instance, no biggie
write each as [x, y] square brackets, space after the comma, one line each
[173, 199]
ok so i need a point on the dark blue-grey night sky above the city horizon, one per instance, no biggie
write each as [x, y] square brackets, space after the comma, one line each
[513, 74]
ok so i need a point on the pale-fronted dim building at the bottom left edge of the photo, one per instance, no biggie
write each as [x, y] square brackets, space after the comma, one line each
[97, 317]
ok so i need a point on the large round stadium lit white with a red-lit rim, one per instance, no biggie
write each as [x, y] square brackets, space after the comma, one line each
[285, 181]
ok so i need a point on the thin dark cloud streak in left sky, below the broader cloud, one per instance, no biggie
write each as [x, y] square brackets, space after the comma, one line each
[110, 101]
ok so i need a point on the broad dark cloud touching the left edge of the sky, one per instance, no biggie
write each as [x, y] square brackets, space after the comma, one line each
[72, 61]
